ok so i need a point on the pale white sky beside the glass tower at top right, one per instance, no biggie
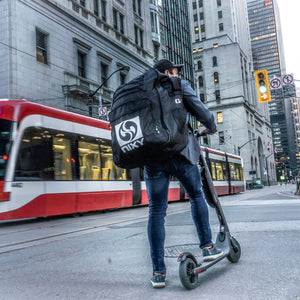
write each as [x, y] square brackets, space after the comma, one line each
[290, 24]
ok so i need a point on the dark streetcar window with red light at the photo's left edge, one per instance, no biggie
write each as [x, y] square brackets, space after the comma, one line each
[5, 127]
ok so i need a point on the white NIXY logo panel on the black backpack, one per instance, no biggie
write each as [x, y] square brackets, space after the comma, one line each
[129, 134]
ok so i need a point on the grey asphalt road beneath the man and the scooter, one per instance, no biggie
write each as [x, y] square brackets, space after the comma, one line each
[106, 256]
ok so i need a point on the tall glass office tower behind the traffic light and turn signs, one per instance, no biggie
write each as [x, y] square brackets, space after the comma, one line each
[268, 53]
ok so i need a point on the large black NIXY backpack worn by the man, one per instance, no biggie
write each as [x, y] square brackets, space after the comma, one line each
[148, 120]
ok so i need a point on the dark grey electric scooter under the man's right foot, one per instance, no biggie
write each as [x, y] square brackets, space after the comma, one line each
[189, 267]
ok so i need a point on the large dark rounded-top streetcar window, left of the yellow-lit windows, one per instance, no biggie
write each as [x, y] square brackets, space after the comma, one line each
[35, 160]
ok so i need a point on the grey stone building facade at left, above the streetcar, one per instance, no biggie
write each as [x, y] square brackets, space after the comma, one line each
[55, 51]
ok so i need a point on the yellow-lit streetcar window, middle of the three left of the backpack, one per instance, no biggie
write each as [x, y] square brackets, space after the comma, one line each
[89, 160]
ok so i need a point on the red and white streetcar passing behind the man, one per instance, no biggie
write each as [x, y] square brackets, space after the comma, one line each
[54, 162]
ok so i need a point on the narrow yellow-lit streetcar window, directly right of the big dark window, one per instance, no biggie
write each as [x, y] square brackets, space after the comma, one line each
[62, 157]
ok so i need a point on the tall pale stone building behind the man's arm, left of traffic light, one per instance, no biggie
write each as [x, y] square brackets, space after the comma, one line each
[225, 83]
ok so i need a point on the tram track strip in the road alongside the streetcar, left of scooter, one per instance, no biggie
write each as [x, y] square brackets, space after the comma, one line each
[16, 237]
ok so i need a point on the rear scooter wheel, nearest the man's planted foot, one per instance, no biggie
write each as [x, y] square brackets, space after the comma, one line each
[188, 279]
